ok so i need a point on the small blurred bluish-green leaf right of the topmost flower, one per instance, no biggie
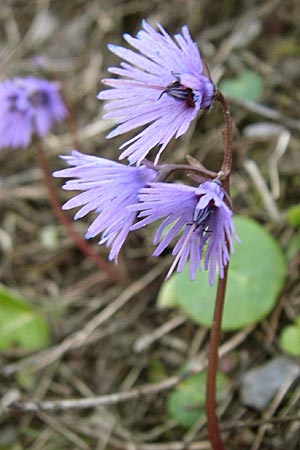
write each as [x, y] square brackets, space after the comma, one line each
[248, 85]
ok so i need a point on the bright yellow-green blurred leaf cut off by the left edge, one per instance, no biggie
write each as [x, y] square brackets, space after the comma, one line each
[20, 324]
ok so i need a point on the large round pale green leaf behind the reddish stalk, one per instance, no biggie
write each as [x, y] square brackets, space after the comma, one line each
[256, 276]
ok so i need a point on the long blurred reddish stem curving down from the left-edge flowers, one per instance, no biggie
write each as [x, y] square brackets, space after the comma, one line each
[80, 242]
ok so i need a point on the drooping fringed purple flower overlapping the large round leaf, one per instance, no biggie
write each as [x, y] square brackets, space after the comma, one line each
[202, 217]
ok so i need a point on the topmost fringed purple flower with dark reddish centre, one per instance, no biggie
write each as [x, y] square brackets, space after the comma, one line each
[162, 86]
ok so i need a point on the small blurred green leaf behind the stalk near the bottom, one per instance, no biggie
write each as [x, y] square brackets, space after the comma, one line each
[186, 403]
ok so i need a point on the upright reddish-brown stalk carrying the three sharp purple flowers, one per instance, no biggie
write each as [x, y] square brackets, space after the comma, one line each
[215, 333]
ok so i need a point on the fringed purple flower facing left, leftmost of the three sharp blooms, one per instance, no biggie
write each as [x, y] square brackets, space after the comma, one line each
[108, 189]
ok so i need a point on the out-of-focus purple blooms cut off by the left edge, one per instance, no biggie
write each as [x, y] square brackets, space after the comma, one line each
[28, 106]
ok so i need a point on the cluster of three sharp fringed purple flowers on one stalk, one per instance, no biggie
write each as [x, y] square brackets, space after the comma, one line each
[162, 86]
